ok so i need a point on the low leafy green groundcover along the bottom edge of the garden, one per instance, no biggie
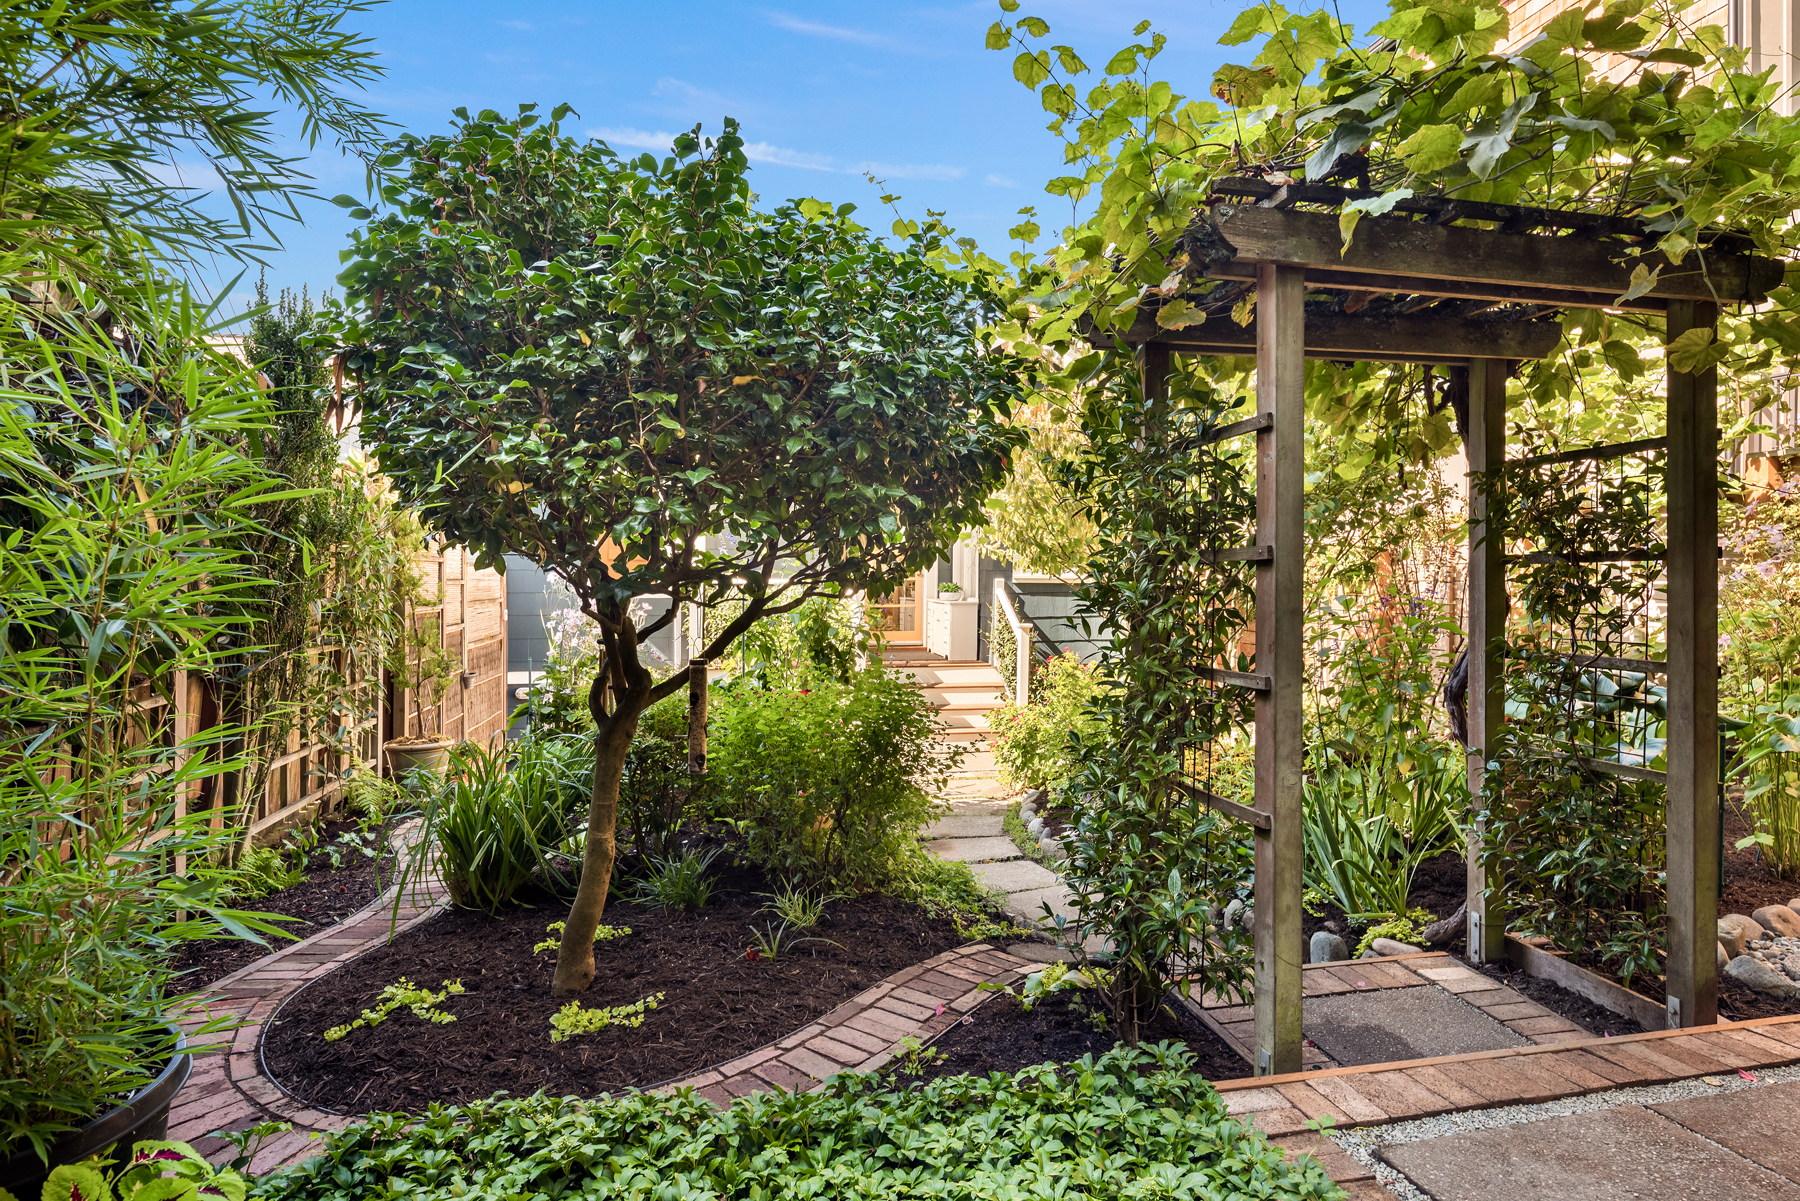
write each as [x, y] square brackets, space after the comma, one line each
[1147, 1126]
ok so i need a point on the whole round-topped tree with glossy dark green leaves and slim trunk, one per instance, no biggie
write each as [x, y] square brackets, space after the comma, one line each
[627, 374]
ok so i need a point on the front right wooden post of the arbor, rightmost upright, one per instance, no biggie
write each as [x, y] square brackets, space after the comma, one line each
[1693, 581]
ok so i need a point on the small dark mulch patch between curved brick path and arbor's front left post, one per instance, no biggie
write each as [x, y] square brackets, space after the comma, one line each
[1005, 1038]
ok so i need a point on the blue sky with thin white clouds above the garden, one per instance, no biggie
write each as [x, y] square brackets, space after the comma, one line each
[823, 93]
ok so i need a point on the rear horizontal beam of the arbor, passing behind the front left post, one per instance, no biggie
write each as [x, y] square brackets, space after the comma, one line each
[1390, 338]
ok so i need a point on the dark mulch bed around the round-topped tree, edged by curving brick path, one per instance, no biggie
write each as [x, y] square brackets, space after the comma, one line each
[717, 1004]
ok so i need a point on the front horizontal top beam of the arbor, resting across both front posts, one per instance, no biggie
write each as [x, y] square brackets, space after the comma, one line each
[1421, 249]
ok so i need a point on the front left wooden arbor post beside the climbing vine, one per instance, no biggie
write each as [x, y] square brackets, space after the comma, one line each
[1281, 525]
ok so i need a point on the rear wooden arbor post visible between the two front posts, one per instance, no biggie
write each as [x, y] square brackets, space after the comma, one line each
[1488, 631]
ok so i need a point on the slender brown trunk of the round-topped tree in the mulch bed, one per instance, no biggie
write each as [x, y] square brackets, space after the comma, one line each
[629, 685]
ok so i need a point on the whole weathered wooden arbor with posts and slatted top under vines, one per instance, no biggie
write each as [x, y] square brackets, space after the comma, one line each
[1414, 287]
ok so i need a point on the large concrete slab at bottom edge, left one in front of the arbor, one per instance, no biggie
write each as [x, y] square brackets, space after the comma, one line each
[1592, 1157]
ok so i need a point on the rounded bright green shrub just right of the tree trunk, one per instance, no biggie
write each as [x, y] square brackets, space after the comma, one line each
[827, 782]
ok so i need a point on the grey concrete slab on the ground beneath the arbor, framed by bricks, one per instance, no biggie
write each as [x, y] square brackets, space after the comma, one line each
[1387, 1025]
